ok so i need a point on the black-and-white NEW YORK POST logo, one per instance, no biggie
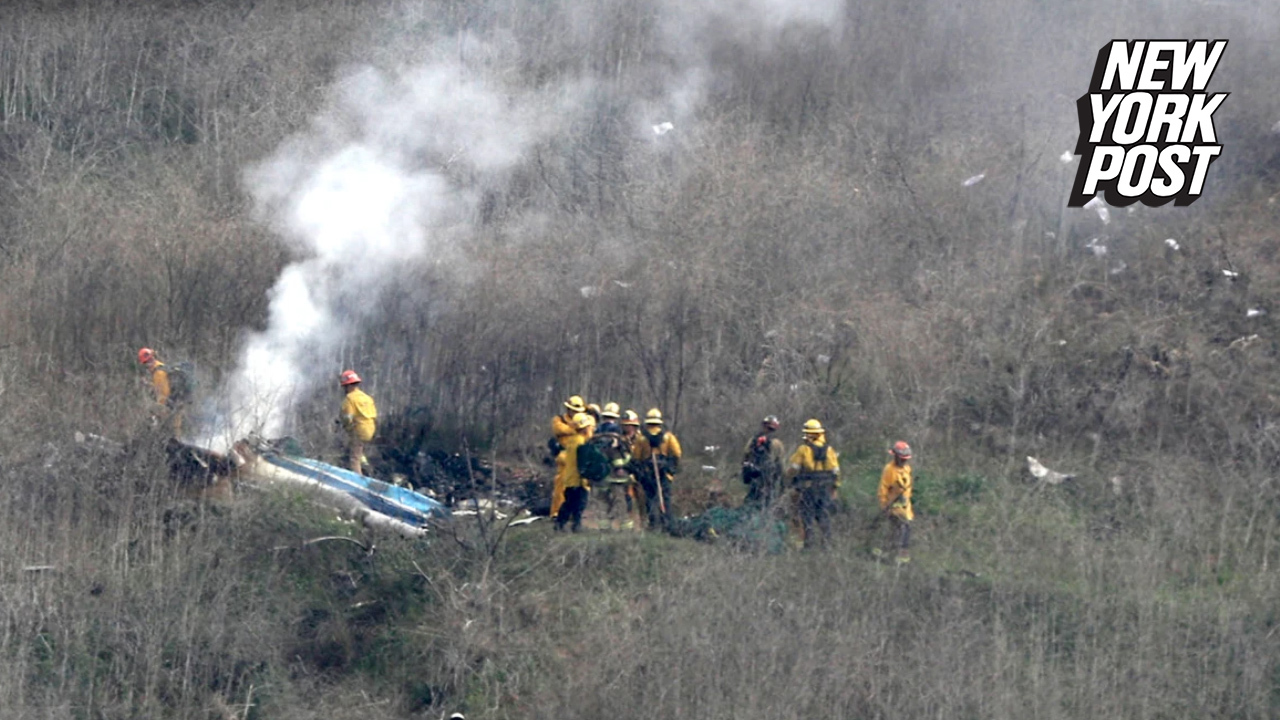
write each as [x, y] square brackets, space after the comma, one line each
[1148, 125]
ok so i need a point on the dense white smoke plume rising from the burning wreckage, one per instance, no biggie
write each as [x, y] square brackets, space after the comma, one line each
[387, 176]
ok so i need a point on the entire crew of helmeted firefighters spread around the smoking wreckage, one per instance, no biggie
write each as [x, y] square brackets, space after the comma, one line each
[633, 463]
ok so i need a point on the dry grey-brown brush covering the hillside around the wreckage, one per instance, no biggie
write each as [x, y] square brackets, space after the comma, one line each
[803, 245]
